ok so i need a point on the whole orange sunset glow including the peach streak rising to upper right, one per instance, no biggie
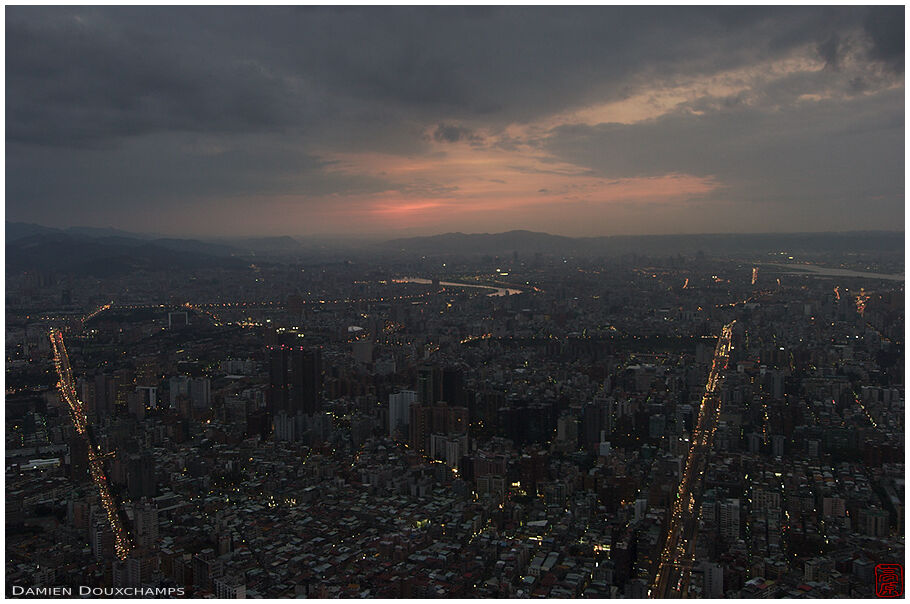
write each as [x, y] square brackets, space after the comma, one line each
[500, 175]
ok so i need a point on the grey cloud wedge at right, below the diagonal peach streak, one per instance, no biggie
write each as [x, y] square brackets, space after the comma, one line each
[811, 156]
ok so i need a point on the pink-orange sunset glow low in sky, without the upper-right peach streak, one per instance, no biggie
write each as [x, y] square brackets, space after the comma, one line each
[461, 179]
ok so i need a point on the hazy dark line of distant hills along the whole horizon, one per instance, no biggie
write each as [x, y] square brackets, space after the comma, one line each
[32, 245]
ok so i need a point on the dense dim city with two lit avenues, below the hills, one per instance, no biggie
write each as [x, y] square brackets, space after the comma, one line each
[514, 425]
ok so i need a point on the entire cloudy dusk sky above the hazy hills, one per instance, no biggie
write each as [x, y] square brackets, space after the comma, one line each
[584, 121]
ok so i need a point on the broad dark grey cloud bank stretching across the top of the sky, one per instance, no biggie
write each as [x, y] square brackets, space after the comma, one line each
[78, 75]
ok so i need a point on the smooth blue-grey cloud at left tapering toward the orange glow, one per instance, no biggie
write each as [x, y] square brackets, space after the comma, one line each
[170, 171]
